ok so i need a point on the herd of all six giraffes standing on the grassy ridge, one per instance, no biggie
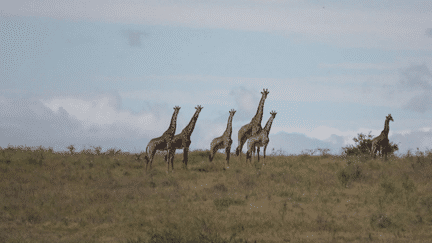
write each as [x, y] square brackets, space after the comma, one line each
[253, 133]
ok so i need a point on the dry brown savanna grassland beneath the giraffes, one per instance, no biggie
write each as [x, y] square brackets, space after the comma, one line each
[90, 196]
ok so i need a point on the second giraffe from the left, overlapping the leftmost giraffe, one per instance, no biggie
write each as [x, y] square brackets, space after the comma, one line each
[182, 140]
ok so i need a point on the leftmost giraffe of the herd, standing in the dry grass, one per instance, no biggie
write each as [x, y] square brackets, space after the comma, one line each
[163, 142]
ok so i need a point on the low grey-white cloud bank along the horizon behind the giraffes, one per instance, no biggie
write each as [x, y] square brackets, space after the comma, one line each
[98, 121]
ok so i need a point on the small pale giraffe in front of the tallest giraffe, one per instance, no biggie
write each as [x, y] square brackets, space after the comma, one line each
[261, 139]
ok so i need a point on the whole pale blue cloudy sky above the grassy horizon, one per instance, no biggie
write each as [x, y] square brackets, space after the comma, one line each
[108, 72]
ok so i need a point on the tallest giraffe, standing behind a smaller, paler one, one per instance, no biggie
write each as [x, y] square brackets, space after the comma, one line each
[252, 127]
